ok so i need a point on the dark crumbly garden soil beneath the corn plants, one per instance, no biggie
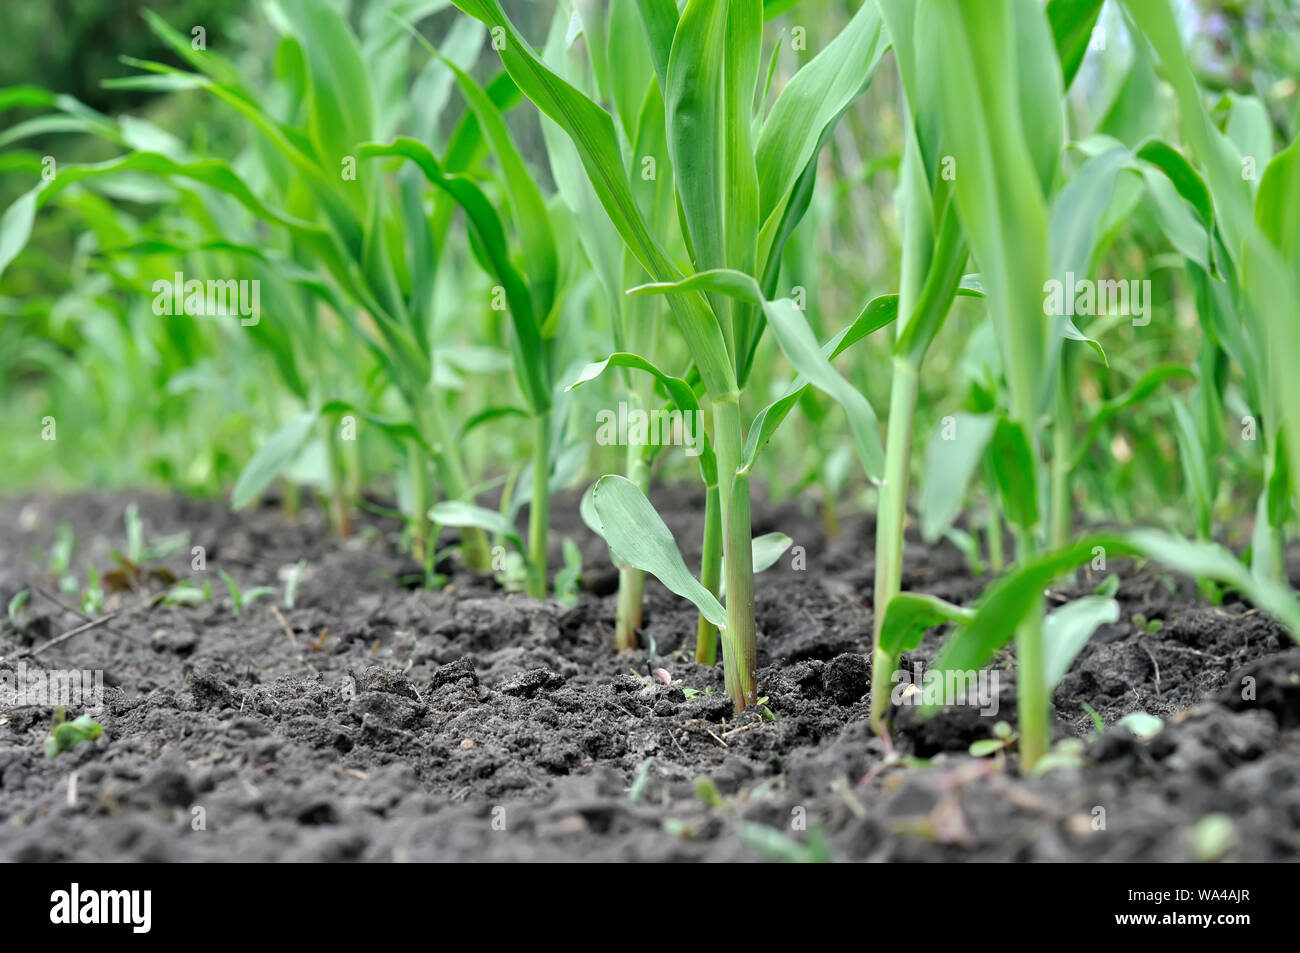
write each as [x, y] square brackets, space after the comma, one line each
[380, 722]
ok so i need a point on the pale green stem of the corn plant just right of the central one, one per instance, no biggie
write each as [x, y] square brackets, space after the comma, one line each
[891, 517]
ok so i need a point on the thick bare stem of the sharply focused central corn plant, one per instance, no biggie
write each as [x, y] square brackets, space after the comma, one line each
[739, 642]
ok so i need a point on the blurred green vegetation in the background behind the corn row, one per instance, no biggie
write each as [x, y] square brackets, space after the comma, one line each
[185, 411]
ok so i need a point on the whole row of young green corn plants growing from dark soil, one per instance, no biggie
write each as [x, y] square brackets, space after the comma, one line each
[634, 210]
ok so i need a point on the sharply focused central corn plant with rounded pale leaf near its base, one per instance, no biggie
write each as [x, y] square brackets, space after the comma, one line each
[739, 196]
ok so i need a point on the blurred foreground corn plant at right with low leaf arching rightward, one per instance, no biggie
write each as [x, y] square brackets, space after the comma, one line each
[1006, 171]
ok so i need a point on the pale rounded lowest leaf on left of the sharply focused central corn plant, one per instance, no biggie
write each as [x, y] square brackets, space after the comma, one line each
[639, 538]
